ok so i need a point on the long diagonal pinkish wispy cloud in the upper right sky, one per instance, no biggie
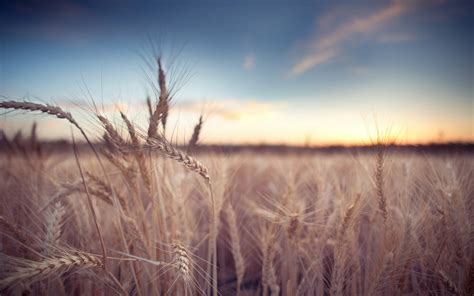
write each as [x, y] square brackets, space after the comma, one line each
[326, 47]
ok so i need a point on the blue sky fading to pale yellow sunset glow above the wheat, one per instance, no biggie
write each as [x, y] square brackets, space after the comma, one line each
[275, 72]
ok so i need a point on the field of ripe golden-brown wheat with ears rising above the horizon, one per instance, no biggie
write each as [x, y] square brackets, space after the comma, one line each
[135, 215]
